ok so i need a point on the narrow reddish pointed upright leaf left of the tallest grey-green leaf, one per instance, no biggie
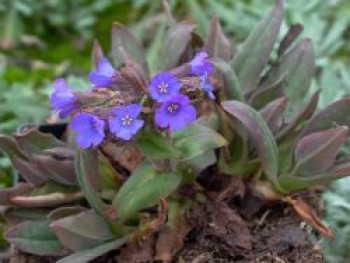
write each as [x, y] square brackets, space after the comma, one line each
[216, 43]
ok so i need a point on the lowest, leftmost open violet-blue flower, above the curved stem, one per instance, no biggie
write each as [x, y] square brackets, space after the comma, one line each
[90, 129]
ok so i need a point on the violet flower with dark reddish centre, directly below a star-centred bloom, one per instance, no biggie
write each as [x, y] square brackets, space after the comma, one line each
[176, 113]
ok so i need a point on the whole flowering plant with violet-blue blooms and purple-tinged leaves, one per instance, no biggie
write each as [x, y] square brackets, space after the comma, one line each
[136, 140]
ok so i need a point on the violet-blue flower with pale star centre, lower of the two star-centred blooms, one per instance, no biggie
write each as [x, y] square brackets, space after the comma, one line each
[124, 122]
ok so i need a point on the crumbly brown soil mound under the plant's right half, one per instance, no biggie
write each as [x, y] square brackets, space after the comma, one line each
[275, 235]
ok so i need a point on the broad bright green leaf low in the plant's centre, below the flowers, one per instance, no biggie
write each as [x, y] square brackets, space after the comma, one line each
[143, 189]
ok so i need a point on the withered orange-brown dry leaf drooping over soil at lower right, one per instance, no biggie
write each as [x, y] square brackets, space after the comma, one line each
[306, 214]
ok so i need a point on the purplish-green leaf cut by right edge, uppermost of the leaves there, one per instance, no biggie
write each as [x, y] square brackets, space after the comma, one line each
[334, 114]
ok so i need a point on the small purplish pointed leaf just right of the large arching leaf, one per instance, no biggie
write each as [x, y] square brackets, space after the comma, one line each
[272, 113]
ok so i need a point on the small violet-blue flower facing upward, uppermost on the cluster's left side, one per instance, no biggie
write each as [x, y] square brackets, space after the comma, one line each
[103, 75]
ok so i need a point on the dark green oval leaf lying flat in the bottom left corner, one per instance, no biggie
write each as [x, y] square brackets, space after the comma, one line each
[35, 237]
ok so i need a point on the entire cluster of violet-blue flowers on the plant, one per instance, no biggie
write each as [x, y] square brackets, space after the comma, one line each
[173, 110]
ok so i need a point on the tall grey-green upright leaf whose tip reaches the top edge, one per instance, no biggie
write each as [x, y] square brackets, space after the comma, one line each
[253, 55]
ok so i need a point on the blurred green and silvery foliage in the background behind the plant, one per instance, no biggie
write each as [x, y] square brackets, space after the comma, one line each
[41, 40]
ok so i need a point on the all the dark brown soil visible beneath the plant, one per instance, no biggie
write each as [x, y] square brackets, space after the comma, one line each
[220, 234]
